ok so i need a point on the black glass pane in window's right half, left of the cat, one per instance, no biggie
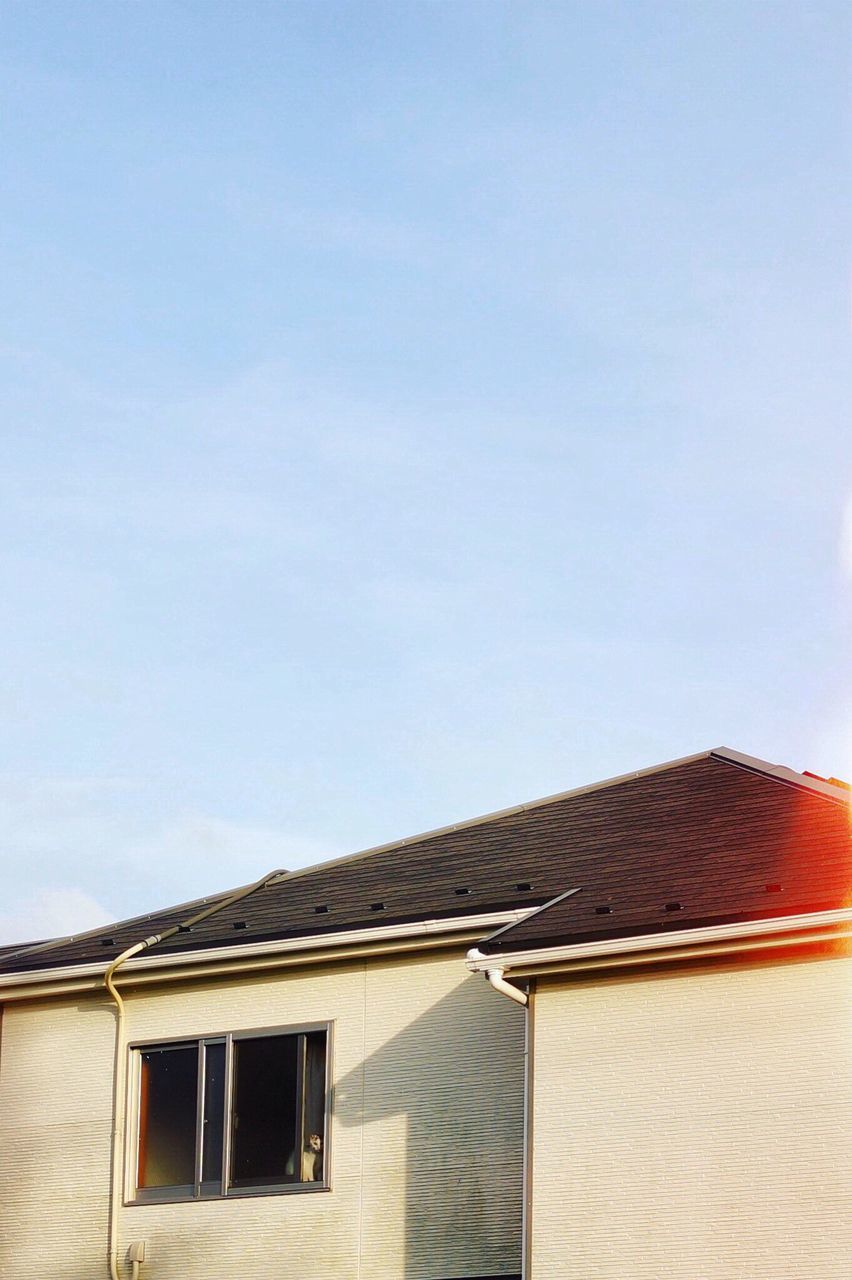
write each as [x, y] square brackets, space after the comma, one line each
[265, 1110]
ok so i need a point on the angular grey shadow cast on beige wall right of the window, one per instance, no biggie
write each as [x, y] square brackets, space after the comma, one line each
[455, 1073]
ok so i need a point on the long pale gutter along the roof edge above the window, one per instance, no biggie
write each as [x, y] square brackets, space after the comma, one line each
[81, 976]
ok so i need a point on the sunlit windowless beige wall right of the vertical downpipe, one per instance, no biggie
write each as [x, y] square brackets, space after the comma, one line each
[695, 1126]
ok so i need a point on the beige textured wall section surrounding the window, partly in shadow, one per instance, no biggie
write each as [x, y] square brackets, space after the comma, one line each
[425, 1146]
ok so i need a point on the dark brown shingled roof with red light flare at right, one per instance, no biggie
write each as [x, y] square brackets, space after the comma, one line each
[716, 838]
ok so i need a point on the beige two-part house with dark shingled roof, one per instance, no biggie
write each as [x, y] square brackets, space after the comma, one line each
[606, 1035]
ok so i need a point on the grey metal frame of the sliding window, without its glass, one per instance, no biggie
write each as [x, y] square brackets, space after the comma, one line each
[191, 1194]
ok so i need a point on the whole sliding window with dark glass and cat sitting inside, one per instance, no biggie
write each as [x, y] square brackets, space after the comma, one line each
[232, 1116]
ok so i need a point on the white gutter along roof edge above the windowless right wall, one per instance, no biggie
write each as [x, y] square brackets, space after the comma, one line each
[480, 963]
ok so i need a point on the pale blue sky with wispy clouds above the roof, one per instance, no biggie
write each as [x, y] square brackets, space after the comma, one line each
[407, 410]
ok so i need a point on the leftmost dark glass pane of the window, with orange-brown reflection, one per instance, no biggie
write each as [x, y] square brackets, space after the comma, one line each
[168, 1101]
